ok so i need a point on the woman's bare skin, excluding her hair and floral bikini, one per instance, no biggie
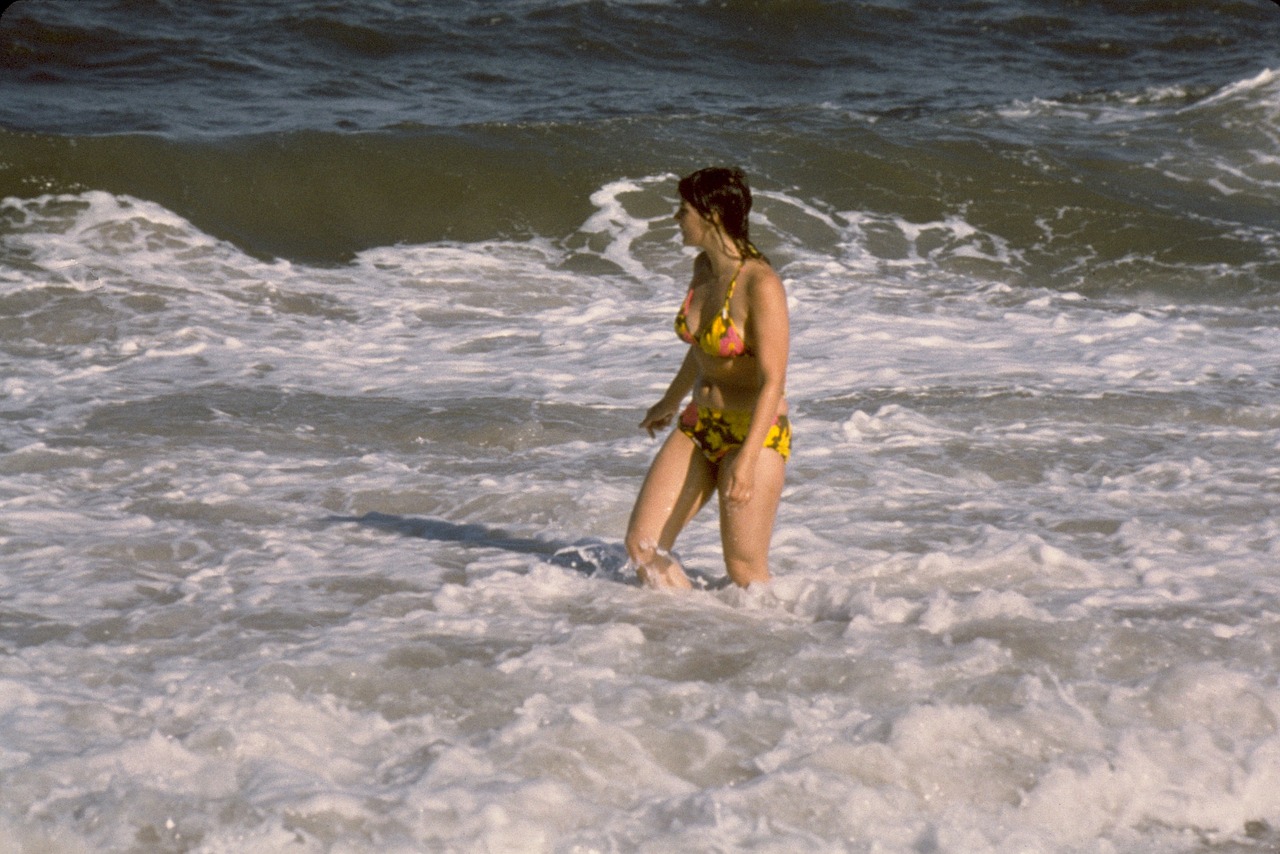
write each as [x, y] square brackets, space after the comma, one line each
[749, 481]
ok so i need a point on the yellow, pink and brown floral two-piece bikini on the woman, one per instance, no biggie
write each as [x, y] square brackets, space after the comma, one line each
[720, 432]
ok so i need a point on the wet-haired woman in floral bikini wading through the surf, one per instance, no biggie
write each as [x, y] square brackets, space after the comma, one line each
[734, 439]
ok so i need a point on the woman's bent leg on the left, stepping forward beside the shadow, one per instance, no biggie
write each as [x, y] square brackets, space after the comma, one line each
[679, 483]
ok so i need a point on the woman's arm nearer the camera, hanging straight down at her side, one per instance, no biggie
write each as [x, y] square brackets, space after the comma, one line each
[771, 339]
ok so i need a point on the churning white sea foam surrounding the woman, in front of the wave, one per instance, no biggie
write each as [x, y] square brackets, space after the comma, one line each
[330, 559]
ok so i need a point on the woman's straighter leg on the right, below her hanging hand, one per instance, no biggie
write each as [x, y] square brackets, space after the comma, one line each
[747, 529]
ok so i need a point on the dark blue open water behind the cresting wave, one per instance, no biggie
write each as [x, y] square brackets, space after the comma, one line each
[228, 68]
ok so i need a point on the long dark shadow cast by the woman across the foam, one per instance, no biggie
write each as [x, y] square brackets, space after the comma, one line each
[592, 558]
